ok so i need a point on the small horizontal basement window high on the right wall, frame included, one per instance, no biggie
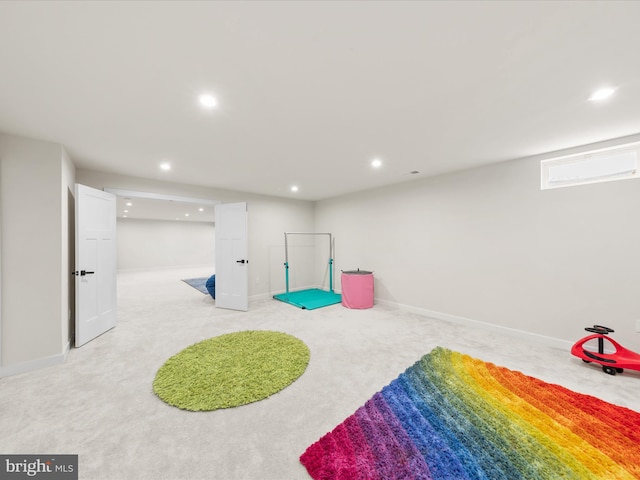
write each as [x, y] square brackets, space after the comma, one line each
[604, 165]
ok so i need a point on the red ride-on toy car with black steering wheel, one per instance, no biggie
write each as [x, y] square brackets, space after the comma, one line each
[612, 363]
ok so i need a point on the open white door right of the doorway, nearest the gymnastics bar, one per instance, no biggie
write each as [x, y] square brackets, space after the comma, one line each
[232, 264]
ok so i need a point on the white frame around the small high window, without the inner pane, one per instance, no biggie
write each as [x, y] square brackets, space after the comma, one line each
[546, 165]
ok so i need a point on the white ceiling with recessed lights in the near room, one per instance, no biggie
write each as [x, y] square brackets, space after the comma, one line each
[309, 92]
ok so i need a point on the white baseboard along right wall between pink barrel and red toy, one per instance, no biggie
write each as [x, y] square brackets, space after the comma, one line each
[538, 339]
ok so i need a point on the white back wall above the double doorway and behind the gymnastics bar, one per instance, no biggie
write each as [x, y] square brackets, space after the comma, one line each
[269, 218]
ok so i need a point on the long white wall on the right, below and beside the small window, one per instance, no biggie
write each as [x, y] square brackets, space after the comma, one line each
[488, 245]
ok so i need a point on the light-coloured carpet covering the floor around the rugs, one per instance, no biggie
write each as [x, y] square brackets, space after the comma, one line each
[100, 403]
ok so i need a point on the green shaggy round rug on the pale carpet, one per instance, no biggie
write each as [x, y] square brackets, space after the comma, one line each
[231, 370]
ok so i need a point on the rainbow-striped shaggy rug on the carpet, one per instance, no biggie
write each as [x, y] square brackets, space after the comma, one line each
[450, 416]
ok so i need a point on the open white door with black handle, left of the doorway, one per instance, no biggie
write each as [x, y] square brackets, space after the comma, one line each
[96, 300]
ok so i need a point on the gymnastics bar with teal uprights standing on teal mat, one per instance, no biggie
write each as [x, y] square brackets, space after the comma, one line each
[309, 298]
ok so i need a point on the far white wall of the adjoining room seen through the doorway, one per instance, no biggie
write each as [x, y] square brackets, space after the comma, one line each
[147, 244]
